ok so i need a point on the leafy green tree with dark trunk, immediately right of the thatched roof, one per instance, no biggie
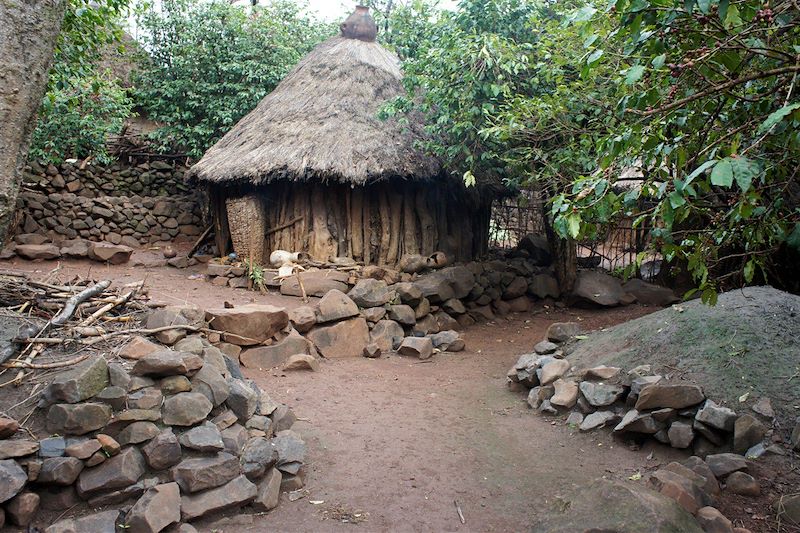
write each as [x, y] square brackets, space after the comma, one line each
[506, 104]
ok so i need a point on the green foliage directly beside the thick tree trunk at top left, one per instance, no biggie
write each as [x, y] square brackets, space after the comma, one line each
[82, 105]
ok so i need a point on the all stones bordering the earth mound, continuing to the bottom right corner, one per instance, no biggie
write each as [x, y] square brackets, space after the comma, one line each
[640, 404]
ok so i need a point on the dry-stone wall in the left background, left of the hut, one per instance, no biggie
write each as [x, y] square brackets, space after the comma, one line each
[146, 202]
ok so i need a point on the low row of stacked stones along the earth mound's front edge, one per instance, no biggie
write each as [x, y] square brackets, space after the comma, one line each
[637, 403]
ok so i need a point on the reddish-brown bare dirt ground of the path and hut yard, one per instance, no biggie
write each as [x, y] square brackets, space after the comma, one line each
[397, 444]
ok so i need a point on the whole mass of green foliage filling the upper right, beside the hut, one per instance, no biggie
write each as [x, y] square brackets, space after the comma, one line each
[697, 98]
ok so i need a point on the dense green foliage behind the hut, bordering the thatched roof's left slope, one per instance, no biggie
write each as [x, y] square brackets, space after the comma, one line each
[211, 63]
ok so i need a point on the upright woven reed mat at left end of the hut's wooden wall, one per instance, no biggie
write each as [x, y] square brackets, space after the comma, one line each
[248, 225]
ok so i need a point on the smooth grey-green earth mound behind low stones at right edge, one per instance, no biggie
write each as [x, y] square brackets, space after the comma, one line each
[748, 344]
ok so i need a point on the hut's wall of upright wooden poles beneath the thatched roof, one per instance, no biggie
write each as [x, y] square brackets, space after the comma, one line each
[378, 224]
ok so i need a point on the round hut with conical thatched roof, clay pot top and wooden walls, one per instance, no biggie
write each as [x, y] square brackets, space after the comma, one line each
[312, 168]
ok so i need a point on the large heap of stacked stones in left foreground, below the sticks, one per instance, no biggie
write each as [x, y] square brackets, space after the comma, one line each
[166, 436]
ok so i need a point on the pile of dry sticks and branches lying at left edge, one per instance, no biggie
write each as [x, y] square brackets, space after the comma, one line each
[83, 313]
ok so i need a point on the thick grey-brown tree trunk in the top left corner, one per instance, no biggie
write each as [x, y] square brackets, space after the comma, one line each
[28, 33]
